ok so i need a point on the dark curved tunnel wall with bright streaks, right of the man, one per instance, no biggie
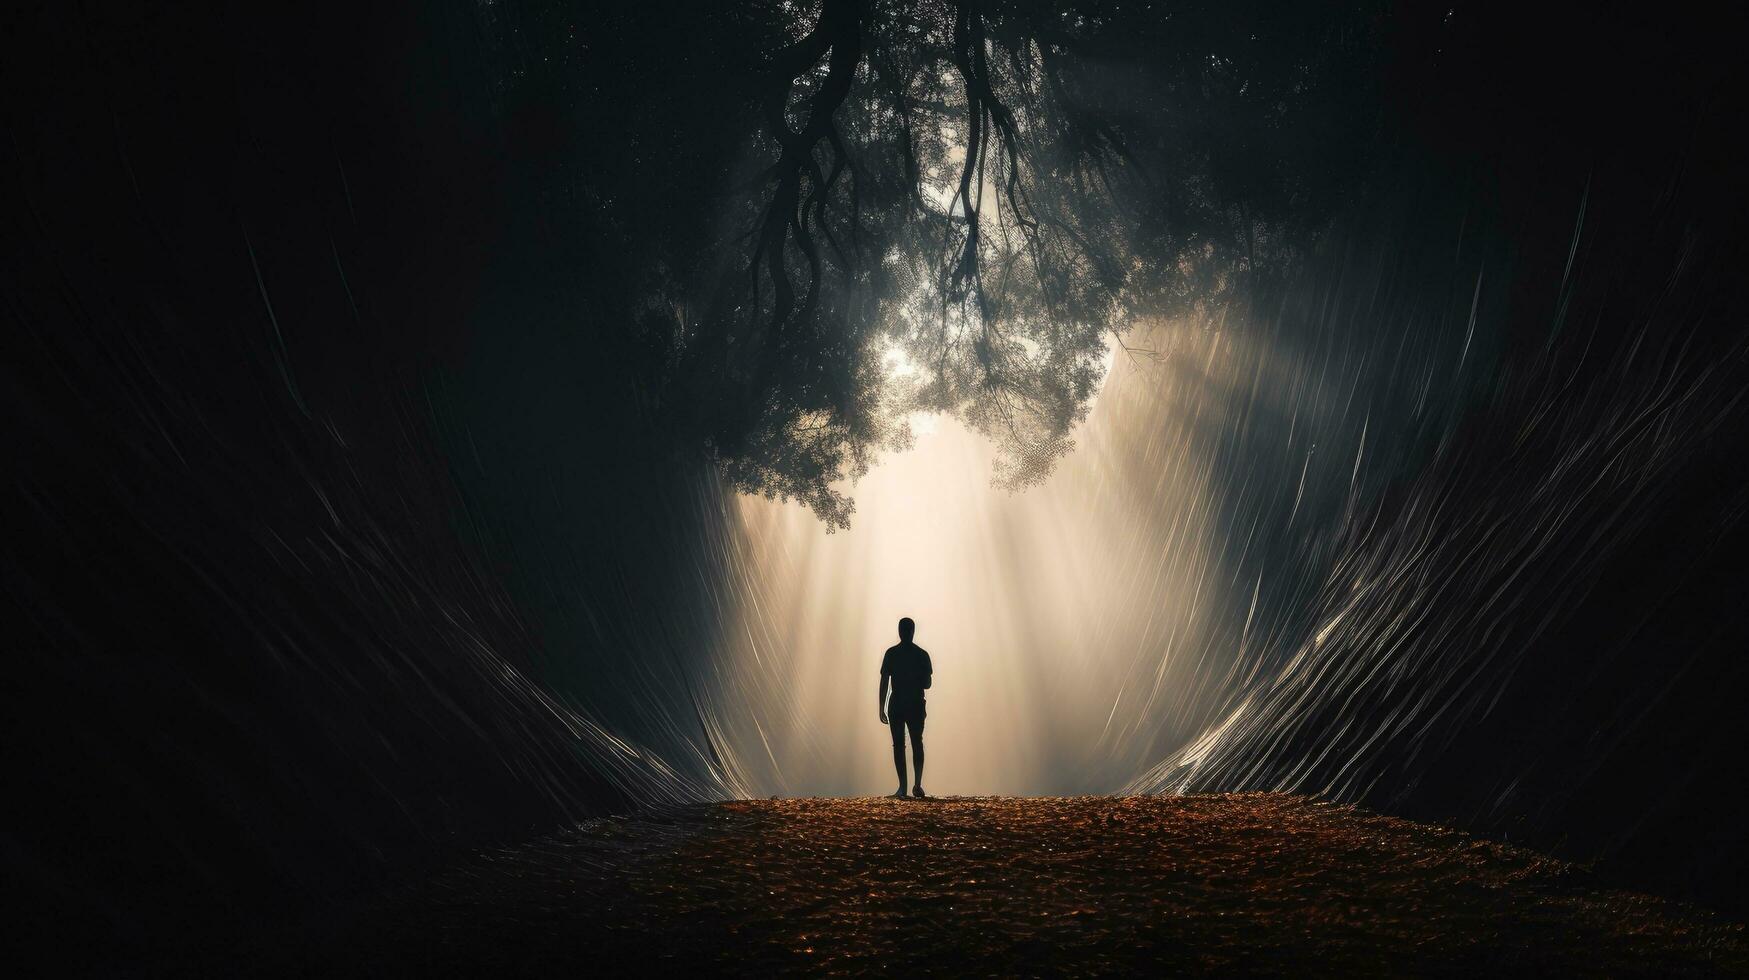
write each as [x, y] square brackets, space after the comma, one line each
[1533, 634]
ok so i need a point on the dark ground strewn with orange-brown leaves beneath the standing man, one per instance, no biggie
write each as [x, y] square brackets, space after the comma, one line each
[1038, 886]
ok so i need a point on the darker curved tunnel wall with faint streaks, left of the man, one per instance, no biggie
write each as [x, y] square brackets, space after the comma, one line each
[260, 654]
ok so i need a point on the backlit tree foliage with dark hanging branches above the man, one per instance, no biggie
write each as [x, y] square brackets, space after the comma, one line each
[949, 207]
